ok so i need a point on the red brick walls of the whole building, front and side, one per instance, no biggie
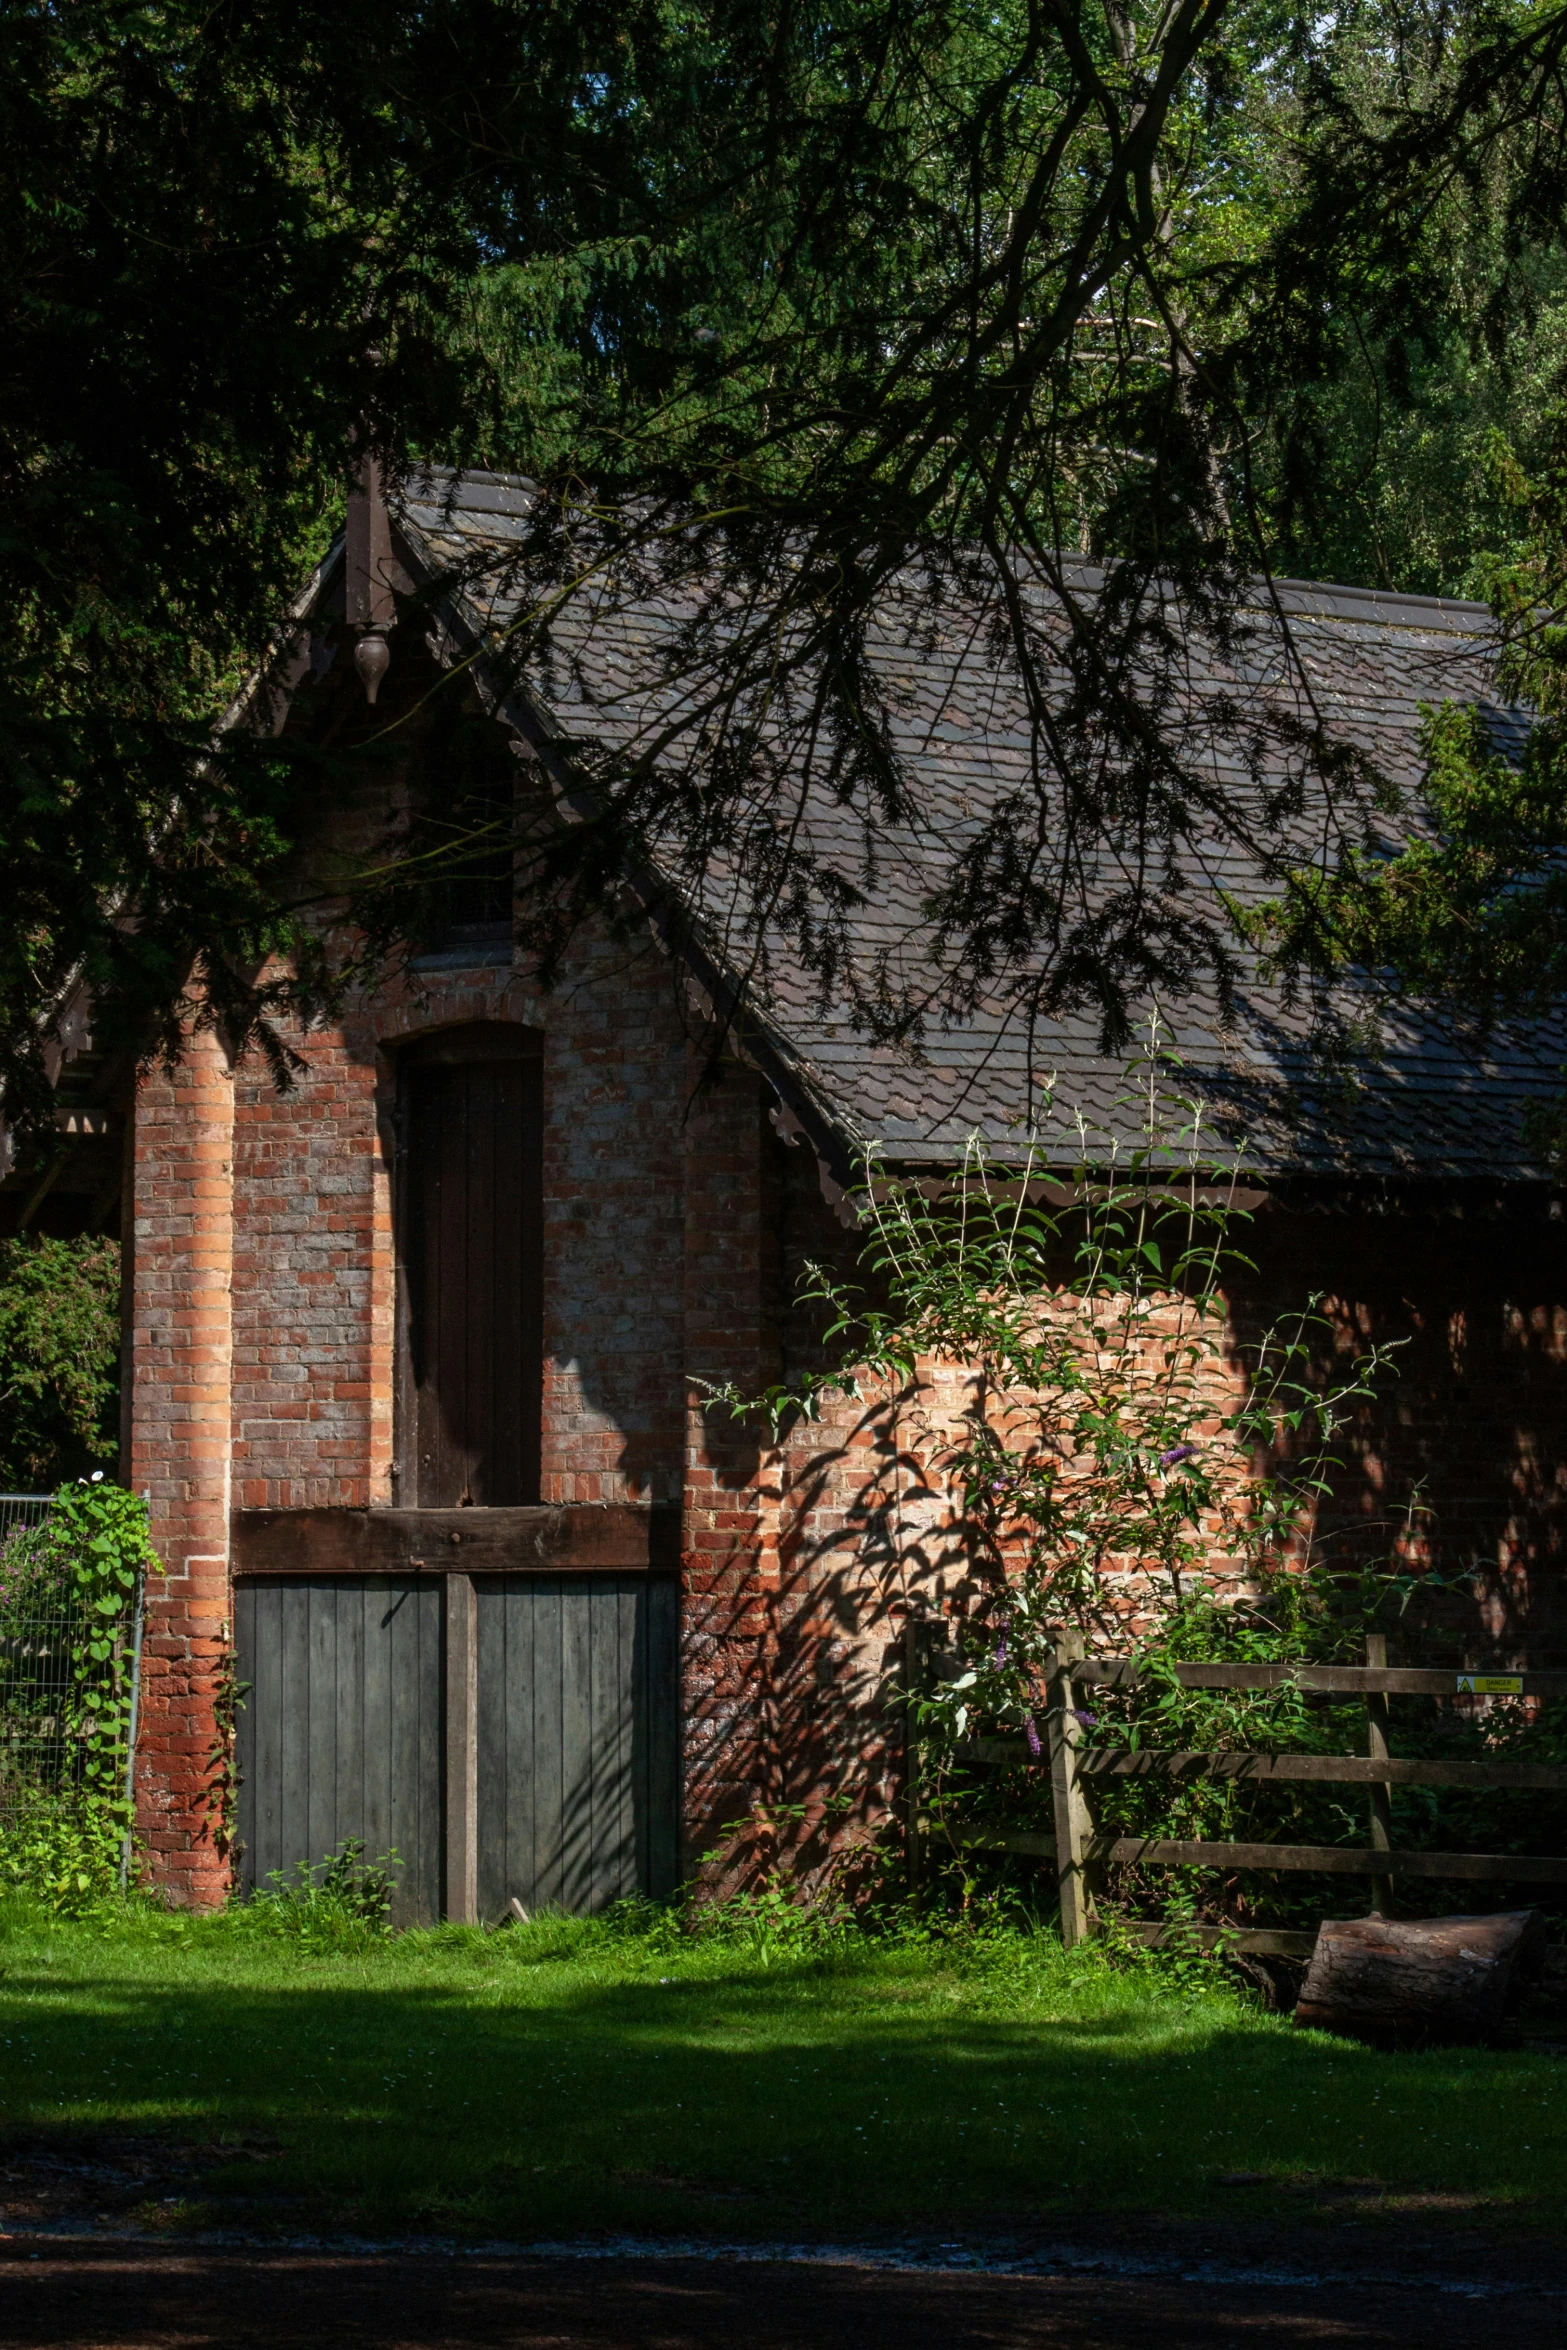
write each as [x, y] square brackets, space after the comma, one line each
[675, 1226]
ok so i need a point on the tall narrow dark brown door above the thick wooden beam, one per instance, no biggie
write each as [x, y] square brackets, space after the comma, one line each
[473, 1247]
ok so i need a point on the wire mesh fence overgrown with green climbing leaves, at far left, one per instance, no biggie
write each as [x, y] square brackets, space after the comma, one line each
[58, 1698]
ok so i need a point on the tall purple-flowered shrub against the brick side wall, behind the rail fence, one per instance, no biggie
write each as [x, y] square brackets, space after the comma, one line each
[1138, 1472]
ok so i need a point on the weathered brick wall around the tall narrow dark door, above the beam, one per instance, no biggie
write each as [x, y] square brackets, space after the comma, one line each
[314, 1242]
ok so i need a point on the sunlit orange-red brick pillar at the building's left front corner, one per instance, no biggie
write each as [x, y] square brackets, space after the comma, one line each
[182, 1369]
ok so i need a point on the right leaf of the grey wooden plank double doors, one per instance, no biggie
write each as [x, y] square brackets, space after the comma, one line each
[577, 1740]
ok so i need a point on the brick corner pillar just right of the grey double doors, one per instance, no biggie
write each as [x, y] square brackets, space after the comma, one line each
[732, 1498]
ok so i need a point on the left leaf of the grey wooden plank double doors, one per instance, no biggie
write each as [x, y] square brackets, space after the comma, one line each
[342, 1728]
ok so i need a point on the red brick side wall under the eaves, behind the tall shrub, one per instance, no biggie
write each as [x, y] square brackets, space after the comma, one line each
[798, 1670]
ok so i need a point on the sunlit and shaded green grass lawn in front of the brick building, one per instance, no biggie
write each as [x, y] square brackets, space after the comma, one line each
[565, 2079]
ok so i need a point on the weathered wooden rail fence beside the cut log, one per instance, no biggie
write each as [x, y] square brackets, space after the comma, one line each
[1080, 1851]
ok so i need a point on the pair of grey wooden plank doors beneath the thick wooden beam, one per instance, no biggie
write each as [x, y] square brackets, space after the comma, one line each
[560, 1782]
